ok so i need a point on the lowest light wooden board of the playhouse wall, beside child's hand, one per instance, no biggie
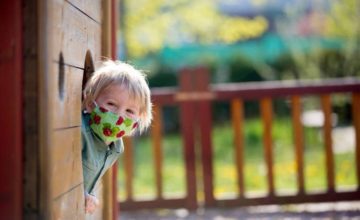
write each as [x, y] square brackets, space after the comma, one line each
[68, 205]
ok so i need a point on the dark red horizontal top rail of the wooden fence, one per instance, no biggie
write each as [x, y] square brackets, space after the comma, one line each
[227, 91]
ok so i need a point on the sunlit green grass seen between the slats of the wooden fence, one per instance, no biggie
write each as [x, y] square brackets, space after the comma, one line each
[255, 172]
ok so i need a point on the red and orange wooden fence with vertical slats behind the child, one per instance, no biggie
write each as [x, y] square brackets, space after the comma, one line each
[194, 98]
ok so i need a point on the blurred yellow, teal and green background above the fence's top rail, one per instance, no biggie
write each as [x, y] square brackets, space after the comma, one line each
[262, 39]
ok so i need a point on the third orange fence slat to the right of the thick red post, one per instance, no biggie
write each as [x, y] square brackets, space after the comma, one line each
[298, 141]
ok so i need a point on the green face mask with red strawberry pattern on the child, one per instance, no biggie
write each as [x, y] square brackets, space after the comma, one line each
[109, 126]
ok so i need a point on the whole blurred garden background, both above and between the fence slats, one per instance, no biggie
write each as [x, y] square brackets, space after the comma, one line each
[245, 41]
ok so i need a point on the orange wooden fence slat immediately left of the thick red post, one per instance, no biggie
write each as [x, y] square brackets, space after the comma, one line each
[156, 134]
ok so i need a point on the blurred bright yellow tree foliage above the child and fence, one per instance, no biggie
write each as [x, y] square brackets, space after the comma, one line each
[152, 24]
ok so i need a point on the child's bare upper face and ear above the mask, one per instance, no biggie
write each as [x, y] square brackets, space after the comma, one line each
[117, 99]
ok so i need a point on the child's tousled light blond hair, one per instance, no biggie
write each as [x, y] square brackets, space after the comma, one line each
[117, 72]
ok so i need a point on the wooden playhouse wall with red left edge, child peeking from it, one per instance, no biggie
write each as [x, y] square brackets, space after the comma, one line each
[48, 51]
